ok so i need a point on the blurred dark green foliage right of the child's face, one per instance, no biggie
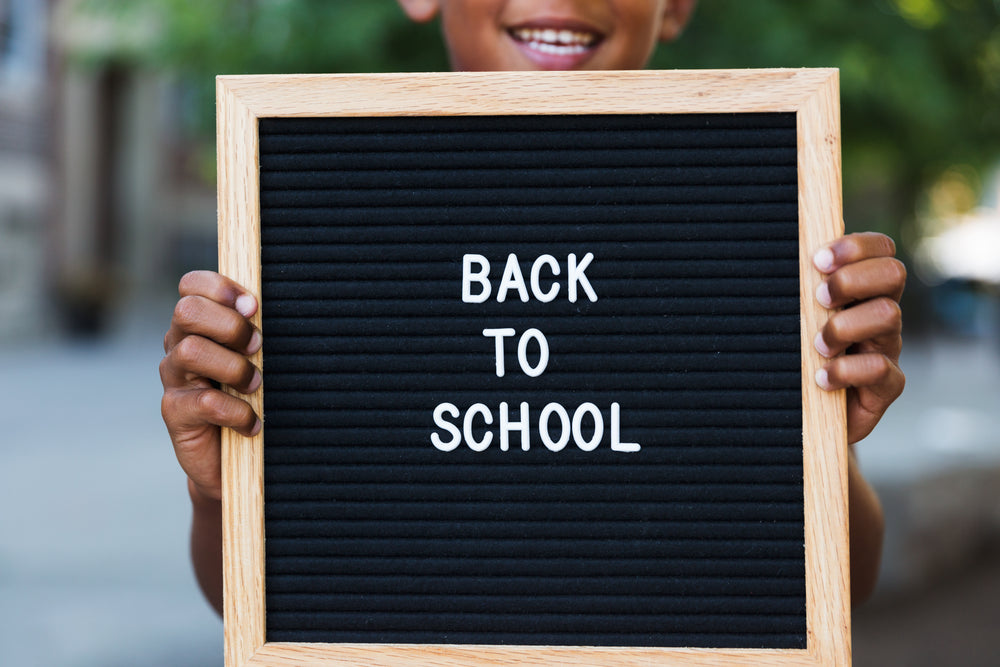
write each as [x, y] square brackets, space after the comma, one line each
[920, 84]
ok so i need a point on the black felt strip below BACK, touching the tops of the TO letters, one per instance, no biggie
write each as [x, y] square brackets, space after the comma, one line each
[599, 324]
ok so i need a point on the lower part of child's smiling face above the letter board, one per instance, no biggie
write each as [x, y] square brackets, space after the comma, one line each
[497, 35]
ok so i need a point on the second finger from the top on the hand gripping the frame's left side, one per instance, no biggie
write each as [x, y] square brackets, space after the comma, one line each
[201, 316]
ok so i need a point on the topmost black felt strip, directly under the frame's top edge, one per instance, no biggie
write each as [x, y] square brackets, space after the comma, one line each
[459, 124]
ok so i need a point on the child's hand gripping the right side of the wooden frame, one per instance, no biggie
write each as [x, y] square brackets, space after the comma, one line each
[865, 279]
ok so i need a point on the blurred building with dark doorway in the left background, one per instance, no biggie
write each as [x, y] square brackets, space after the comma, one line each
[97, 206]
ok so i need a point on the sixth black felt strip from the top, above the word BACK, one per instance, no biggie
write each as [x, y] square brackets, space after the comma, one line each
[581, 213]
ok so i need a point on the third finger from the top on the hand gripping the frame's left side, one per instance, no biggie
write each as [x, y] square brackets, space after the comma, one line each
[196, 359]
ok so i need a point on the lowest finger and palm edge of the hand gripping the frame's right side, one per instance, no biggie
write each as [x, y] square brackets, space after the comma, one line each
[873, 380]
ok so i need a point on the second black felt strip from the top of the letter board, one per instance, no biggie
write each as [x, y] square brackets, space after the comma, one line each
[528, 141]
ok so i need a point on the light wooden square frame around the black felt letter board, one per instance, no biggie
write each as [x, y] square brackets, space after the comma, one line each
[812, 94]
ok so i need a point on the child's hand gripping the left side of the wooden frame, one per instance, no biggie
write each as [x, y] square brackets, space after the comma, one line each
[207, 344]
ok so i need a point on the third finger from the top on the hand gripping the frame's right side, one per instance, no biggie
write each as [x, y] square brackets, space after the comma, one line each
[877, 321]
